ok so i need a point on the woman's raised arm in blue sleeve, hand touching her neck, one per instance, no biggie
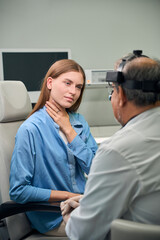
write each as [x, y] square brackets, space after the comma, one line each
[83, 146]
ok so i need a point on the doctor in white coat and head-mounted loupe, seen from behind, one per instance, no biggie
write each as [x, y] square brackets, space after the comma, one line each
[124, 180]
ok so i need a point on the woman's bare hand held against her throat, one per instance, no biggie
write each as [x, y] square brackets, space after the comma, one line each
[61, 117]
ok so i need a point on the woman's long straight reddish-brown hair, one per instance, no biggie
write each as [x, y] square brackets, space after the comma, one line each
[58, 68]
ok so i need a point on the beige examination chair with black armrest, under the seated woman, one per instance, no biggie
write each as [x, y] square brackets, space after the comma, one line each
[15, 105]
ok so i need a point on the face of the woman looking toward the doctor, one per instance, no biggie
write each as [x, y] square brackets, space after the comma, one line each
[66, 89]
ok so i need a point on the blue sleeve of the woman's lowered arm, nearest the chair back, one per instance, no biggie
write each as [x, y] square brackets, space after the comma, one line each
[22, 171]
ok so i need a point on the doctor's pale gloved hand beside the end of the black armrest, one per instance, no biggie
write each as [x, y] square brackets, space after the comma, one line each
[68, 206]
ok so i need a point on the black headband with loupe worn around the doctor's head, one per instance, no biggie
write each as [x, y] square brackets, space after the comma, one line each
[118, 77]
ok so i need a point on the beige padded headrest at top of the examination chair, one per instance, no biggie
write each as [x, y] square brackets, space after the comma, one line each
[15, 103]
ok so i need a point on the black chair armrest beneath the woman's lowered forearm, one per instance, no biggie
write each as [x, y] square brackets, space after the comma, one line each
[10, 208]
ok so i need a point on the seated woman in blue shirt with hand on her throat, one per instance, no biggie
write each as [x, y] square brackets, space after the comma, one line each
[54, 147]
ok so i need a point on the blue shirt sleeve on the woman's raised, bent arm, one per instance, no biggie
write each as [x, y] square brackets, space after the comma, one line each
[84, 146]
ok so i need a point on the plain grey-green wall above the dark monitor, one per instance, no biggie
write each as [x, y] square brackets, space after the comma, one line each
[97, 32]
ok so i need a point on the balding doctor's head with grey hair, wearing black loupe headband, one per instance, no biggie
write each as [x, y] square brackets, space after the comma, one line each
[136, 86]
